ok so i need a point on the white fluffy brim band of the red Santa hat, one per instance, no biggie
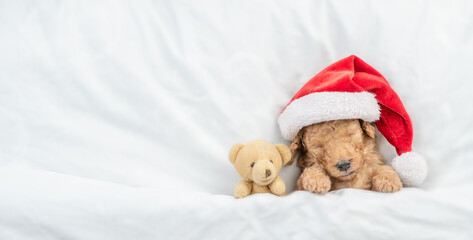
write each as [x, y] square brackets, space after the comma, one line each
[326, 106]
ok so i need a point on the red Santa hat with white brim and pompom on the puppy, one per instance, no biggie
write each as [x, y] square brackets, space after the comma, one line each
[352, 89]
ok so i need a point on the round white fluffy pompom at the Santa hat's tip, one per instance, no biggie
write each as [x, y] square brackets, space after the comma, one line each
[411, 168]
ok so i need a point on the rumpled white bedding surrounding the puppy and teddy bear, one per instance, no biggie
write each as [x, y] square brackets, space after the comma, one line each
[116, 117]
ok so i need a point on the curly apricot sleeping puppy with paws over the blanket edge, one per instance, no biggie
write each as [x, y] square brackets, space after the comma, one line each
[341, 154]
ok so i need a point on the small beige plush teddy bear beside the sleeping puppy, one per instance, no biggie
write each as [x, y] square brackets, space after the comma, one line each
[258, 163]
